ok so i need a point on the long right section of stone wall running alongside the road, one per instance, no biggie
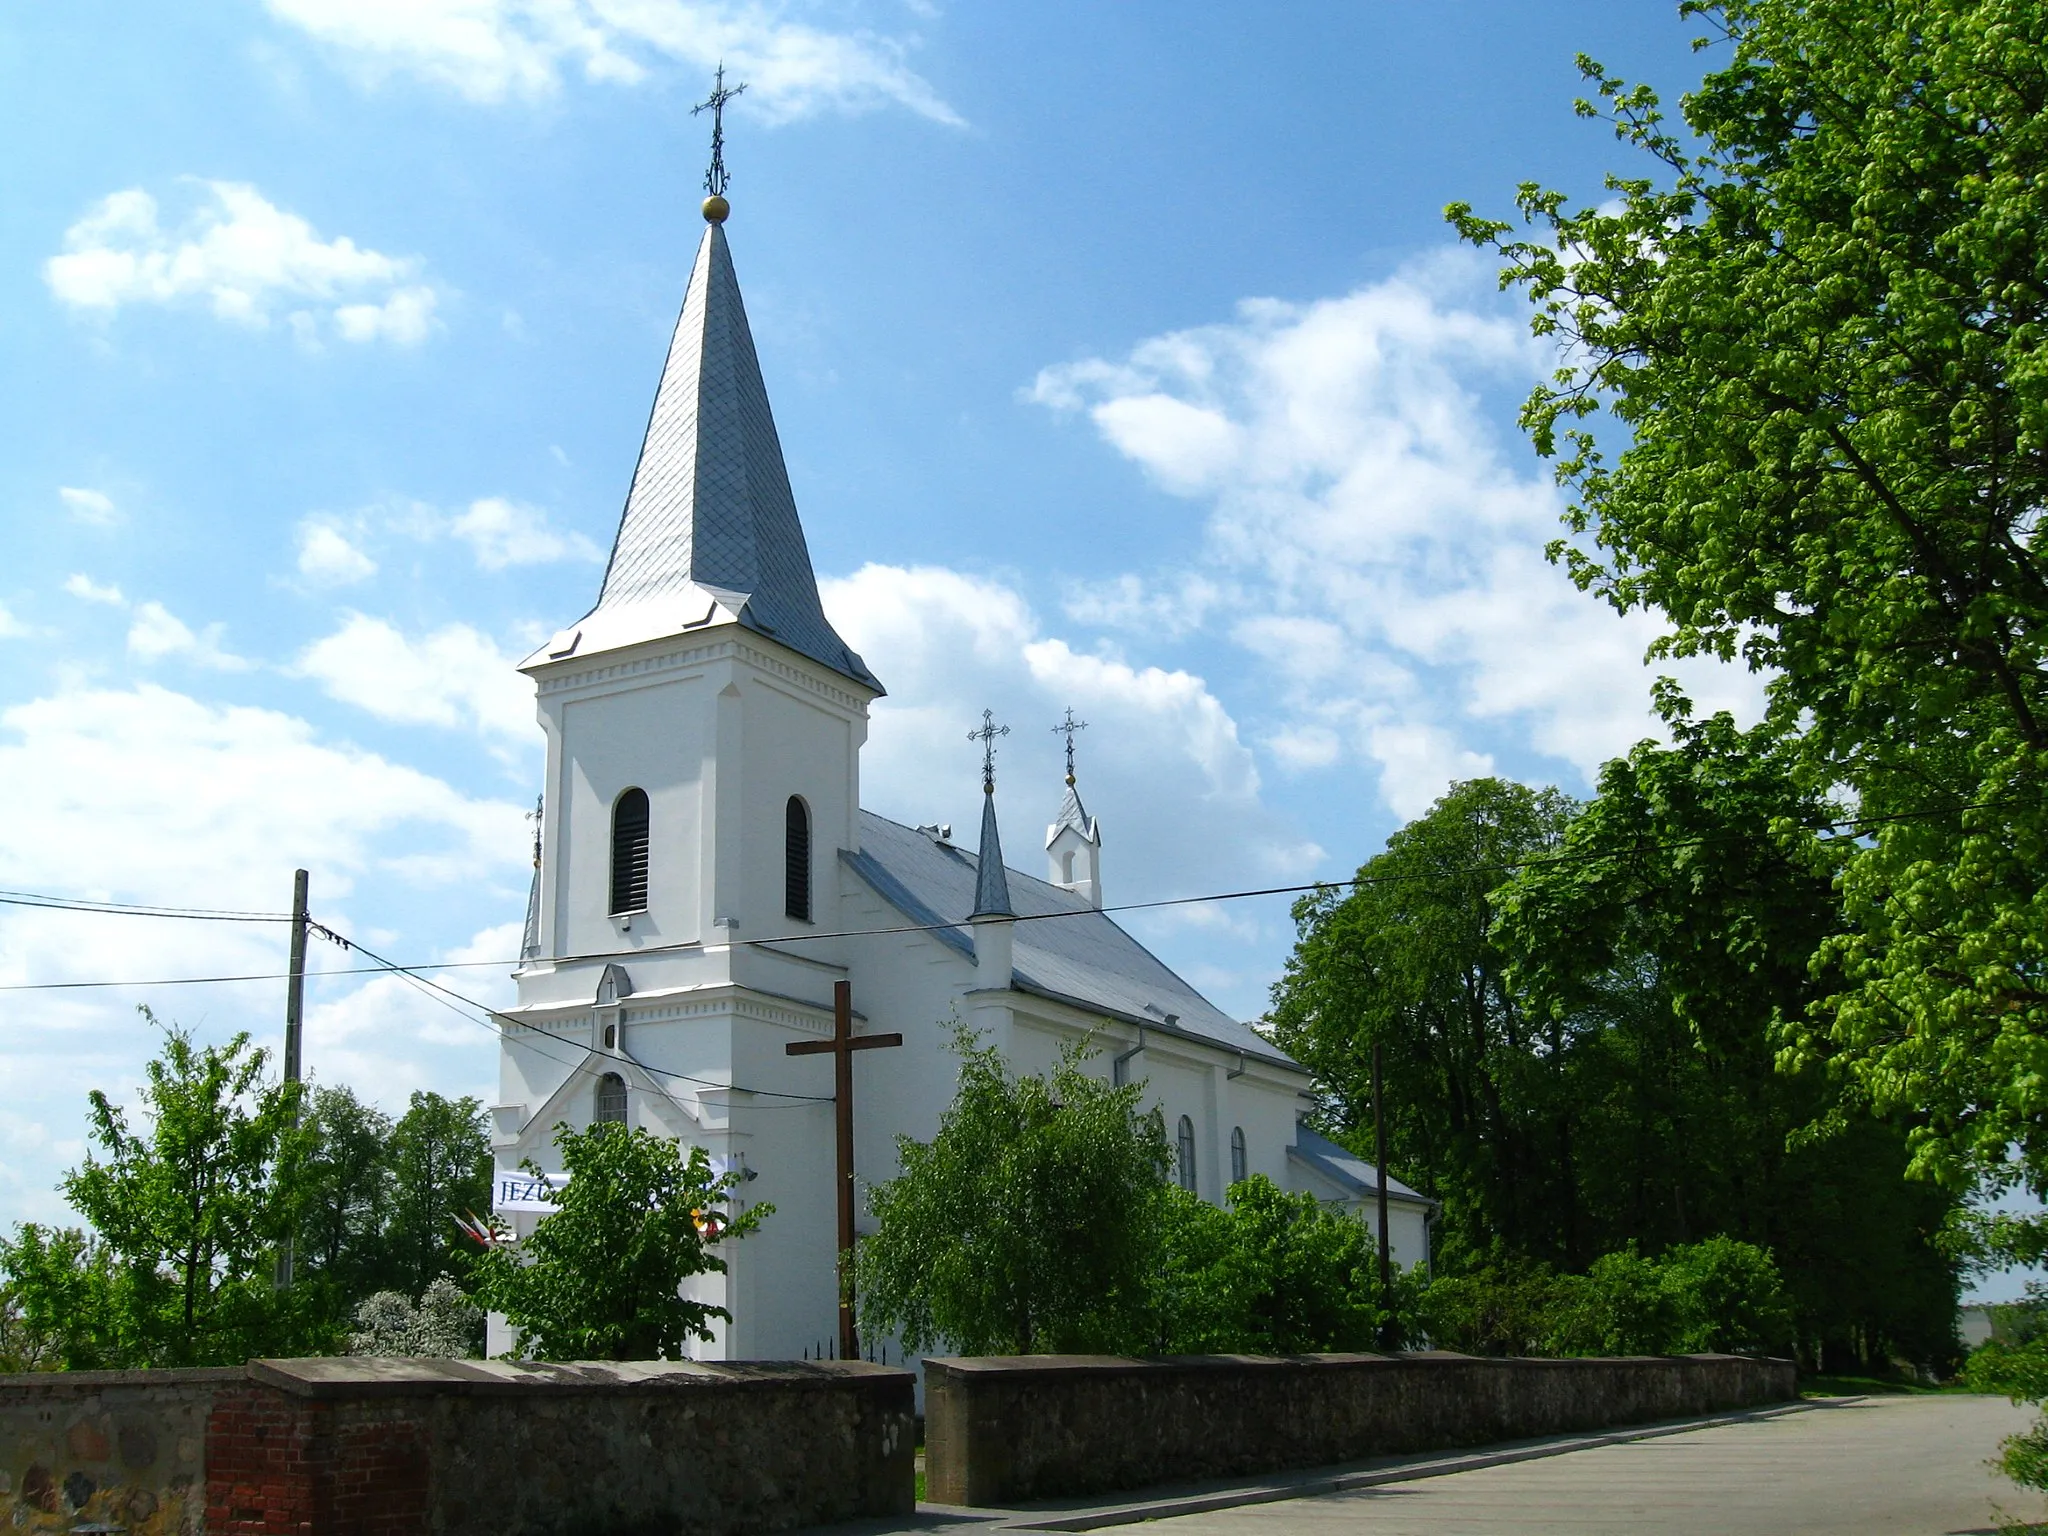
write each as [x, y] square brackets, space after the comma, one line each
[1007, 1431]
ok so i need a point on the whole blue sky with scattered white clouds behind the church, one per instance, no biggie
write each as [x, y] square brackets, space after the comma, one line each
[1119, 353]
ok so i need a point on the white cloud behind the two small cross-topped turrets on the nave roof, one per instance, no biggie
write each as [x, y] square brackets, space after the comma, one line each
[1162, 763]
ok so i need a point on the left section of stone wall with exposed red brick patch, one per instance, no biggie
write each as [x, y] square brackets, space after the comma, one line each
[456, 1449]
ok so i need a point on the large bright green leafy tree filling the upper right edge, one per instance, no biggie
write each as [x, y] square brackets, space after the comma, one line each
[1803, 409]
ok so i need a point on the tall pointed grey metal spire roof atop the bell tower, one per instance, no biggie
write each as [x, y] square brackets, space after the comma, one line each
[712, 523]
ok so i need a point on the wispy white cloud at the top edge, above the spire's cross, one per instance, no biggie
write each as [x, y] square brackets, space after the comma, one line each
[490, 50]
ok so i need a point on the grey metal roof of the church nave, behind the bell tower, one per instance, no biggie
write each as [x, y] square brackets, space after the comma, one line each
[1064, 947]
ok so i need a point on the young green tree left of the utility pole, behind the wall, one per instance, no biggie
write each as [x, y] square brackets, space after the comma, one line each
[185, 1213]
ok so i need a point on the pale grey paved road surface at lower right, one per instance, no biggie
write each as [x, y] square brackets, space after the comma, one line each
[1865, 1465]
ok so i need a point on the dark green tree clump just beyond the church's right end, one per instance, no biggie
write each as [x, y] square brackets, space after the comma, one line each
[1637, 957]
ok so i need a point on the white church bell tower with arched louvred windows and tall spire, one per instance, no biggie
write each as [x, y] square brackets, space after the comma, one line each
[703, 773]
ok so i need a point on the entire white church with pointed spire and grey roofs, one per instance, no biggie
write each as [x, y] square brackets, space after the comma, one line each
[708, 876]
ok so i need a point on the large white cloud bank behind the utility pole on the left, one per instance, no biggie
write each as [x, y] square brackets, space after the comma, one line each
[153, 796]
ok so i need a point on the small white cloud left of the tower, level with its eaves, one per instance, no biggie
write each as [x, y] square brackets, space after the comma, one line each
[454, 677]
